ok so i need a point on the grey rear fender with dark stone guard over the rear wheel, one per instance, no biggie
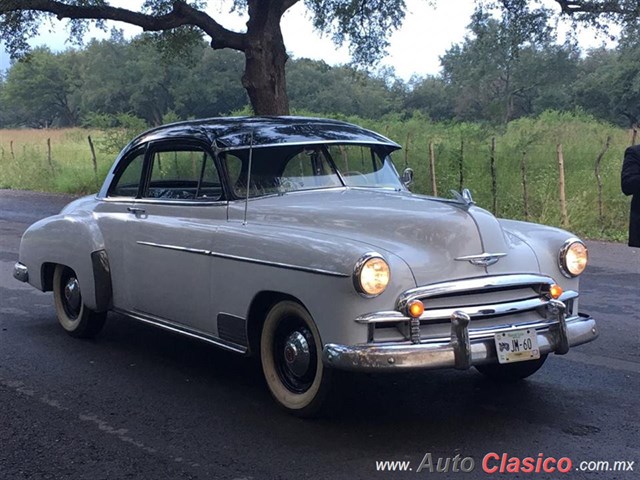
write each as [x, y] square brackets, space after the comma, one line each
[73, 240]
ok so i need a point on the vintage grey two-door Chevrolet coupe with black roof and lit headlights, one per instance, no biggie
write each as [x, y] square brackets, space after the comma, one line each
[295, 239]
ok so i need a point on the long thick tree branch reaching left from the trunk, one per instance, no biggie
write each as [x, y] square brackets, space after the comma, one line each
[181, 15]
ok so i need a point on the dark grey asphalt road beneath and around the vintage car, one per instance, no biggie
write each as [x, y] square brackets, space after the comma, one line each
[142, 403]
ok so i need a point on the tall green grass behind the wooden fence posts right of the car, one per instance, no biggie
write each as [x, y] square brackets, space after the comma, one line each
[536, 139]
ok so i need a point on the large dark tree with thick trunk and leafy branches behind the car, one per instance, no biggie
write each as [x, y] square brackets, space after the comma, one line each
[365, 25]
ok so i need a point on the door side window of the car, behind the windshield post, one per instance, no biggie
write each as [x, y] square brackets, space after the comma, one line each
[183, 173]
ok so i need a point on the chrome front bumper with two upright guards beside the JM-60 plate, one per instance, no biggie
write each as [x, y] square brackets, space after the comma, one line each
[460, 351]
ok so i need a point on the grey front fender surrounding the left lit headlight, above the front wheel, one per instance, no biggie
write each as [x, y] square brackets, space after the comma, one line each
[328, 293]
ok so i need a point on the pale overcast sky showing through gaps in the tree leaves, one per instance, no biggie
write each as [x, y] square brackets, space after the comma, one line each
[415, 49]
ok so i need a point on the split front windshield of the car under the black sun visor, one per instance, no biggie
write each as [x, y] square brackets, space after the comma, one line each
[296, 168]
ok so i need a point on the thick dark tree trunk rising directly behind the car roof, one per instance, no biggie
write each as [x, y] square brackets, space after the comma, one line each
[265, 59]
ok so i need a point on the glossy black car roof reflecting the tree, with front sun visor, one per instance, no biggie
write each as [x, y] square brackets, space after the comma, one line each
[229, 133]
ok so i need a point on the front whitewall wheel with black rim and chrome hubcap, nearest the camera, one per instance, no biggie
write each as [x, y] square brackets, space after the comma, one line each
[291, 355]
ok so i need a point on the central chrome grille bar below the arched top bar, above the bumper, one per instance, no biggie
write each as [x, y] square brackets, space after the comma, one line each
[474, 311]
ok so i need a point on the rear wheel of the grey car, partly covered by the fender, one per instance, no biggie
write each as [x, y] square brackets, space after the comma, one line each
[73, 315]
